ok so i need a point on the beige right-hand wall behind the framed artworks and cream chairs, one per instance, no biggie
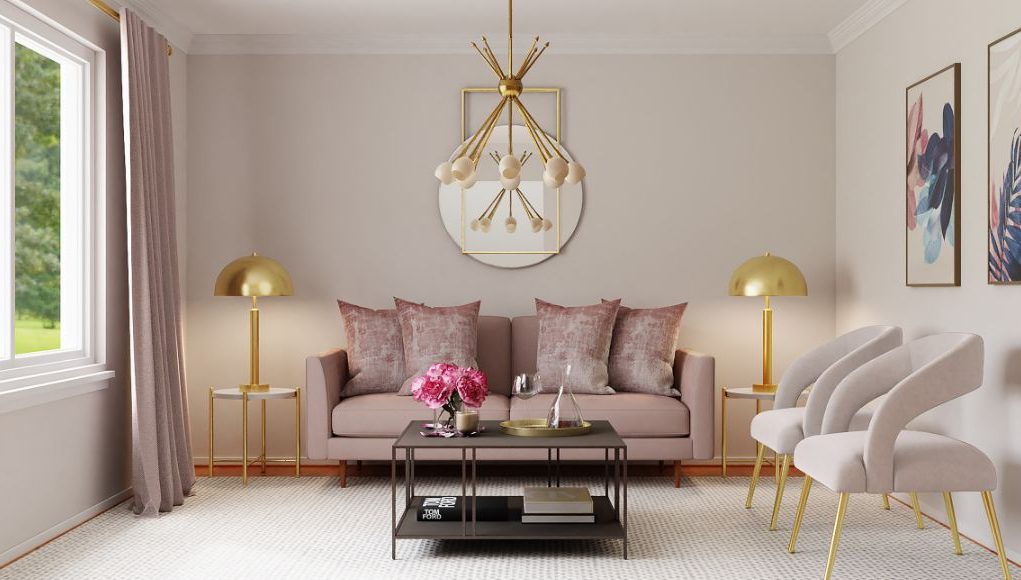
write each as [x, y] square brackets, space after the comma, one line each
[921, 38]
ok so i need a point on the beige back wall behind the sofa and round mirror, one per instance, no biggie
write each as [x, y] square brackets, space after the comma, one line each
[325, 163]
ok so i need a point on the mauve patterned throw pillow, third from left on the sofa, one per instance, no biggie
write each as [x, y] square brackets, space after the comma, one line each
[579, 336]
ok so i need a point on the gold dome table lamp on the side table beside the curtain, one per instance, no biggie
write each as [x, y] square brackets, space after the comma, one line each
[254, 276]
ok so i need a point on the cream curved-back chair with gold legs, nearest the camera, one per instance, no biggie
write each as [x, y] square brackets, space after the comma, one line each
[888, 458]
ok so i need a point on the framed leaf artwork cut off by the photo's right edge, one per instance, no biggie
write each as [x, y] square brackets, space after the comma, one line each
[1005, 160]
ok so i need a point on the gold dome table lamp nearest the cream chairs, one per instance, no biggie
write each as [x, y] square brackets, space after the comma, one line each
[768, 276]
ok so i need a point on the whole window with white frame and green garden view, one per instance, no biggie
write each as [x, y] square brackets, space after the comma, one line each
[46, 198]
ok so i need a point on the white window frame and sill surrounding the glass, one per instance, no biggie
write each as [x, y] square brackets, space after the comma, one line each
[80, 359]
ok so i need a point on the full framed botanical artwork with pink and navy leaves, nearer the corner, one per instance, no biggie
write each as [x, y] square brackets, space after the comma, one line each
[933, 234]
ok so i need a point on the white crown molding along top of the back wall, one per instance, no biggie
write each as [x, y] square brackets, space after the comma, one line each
[426, 44]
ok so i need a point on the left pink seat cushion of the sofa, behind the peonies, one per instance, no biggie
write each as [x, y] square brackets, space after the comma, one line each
[386, 415]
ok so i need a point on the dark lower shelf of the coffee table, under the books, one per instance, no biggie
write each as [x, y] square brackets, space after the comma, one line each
[607, 525]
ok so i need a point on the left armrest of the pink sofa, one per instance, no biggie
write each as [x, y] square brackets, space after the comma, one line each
[325, 375]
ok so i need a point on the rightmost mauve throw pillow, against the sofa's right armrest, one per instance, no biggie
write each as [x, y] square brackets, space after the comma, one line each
[642, 356]
